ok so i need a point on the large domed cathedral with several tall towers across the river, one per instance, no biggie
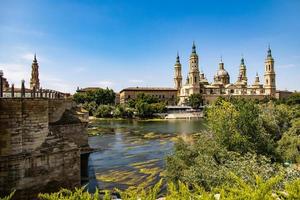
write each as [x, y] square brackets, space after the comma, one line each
[197, 83]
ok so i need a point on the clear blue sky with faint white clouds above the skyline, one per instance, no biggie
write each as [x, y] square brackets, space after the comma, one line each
[123, 43]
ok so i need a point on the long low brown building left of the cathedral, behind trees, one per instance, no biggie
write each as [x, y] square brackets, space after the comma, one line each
[167, 95]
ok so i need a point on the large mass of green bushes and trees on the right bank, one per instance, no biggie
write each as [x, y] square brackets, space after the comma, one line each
[243, 138]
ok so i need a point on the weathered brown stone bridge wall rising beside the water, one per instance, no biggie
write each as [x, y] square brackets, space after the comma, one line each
[41, 141]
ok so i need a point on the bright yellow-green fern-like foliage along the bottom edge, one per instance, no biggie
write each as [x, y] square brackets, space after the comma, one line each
[239, 189]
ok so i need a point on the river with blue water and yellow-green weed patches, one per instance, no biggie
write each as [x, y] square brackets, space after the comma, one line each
[131, 152]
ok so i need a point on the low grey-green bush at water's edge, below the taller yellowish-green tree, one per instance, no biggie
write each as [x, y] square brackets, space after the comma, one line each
[207, 163]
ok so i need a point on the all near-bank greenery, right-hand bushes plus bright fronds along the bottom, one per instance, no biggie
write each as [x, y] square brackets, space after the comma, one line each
[250, 150]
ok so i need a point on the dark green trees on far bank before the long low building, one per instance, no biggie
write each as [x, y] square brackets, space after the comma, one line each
[101, 103]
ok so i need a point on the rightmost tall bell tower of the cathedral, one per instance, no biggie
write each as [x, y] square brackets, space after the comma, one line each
[270, 76]
